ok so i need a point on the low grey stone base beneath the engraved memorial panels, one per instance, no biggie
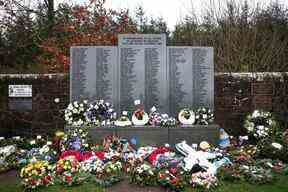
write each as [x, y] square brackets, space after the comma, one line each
[149, 135]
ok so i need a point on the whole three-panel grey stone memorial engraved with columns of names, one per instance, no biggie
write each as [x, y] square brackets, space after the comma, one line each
[143, 67]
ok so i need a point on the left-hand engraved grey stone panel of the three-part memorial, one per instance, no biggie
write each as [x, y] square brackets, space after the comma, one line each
[93, 73]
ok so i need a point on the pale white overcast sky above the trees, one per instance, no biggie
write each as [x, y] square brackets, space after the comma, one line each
[172, 11]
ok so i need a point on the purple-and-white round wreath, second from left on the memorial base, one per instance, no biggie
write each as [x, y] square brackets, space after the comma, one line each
[100, 113]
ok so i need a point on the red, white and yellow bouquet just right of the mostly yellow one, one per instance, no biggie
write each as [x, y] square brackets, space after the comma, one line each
[68, 171]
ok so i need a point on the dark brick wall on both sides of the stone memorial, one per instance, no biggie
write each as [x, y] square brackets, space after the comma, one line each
[236, 94]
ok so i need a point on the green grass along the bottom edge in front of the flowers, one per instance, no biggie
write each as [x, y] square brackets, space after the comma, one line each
[9, 183]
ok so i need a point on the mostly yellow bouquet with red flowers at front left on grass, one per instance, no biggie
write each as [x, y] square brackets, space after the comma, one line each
[37, 174]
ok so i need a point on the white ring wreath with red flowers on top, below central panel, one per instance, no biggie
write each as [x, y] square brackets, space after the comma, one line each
[139, 116]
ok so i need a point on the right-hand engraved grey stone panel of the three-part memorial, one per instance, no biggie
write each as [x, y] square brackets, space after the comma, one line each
[191, 77]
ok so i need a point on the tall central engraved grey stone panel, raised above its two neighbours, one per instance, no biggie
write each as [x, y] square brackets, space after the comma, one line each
[143, 71]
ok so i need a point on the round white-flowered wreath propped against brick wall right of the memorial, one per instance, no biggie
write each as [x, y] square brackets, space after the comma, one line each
[260, 124]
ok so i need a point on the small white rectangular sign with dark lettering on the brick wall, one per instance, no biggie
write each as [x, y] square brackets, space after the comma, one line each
[20, 90]
